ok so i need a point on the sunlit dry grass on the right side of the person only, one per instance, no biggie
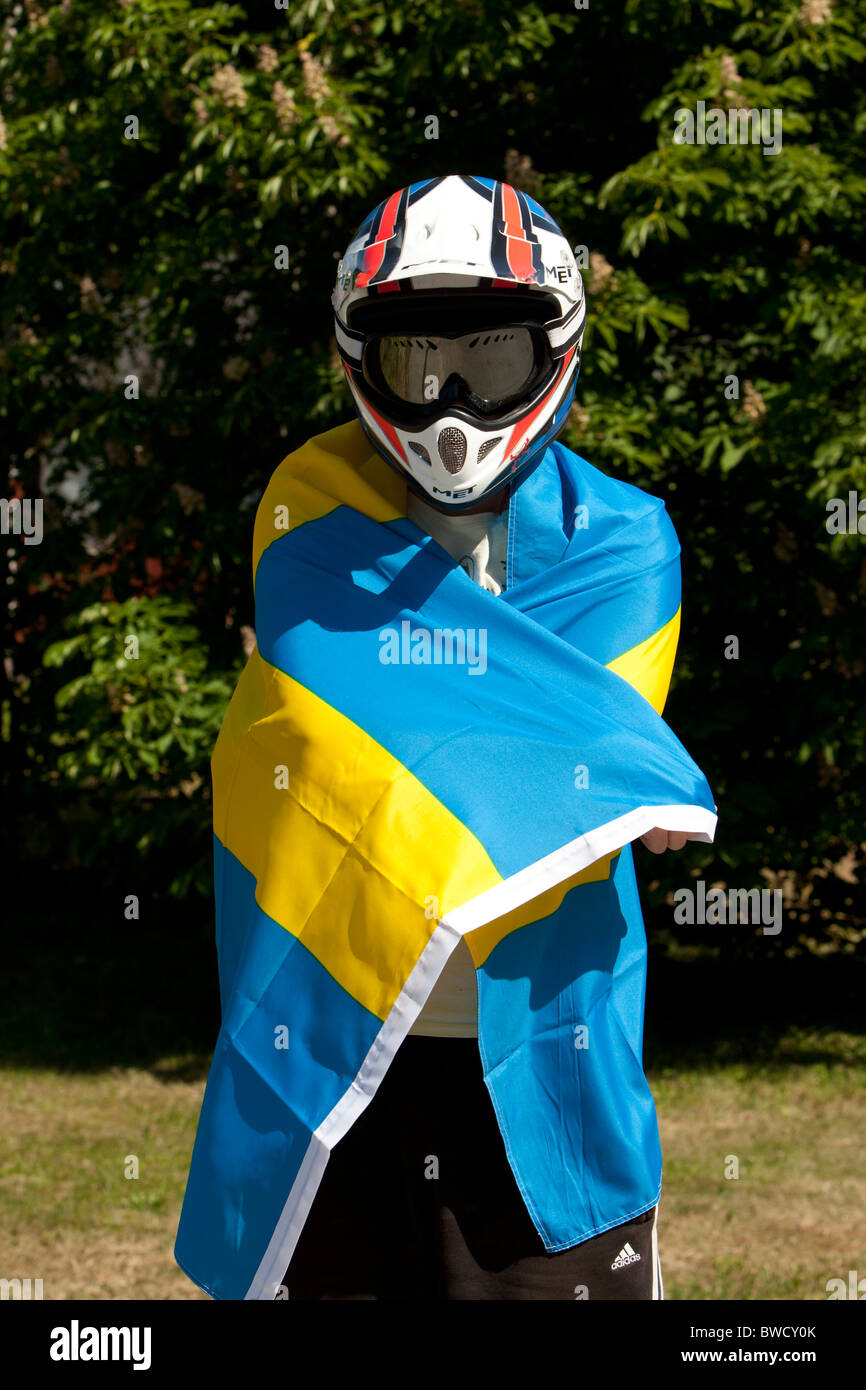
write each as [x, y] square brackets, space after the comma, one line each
[793, 1218]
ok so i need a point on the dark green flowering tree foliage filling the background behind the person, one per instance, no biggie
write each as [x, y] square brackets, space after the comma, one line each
[263, 129]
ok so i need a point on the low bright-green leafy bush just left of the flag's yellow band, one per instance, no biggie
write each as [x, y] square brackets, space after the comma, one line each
[136, 729]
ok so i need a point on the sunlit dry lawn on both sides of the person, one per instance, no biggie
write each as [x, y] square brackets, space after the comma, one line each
[794, 1120]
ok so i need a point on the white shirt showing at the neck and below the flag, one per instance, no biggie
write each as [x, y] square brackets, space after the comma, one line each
[479, 544]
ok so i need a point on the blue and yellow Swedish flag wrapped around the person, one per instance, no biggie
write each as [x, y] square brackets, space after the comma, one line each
[409, 760]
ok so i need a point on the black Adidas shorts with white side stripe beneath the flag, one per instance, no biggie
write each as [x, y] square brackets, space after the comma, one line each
[419, 1202]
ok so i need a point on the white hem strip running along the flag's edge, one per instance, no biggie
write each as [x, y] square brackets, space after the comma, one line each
[512, 893]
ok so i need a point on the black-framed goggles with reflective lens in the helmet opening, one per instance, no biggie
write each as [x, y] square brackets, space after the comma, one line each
[491, 369]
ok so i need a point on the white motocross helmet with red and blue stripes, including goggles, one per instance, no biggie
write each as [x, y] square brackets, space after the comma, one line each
[459, 316]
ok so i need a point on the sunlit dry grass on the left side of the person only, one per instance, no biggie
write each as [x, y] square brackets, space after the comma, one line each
[69, 1213]
